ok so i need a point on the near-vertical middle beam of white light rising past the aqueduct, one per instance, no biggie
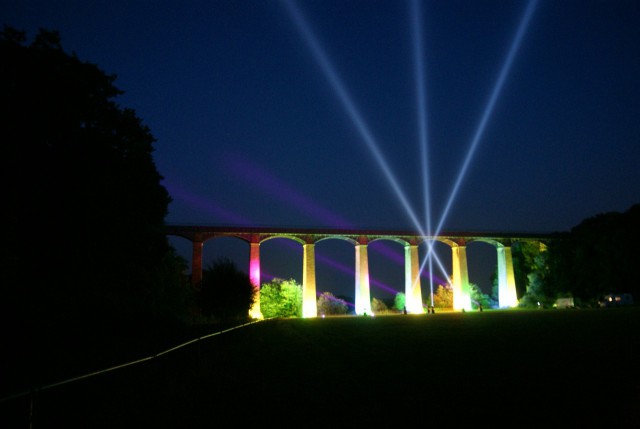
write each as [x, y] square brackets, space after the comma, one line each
[421, 110]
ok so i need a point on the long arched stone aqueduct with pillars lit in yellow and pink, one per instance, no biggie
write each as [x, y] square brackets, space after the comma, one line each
[308, 237]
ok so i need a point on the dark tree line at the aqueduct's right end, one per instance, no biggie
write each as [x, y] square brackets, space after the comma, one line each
[595, 258]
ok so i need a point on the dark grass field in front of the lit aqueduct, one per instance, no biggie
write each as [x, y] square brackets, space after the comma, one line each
[578, 368]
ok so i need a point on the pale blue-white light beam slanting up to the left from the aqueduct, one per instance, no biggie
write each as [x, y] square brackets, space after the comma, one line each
[353, 113]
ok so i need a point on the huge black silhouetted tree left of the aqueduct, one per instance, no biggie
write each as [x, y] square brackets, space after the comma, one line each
[83, 200]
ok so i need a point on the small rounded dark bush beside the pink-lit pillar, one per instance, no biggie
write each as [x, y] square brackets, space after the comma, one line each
[226, 293]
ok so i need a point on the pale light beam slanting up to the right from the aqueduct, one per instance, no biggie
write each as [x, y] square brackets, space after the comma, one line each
[504, 71]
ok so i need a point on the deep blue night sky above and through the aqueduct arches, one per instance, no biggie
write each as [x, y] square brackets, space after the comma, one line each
[307, 114]
